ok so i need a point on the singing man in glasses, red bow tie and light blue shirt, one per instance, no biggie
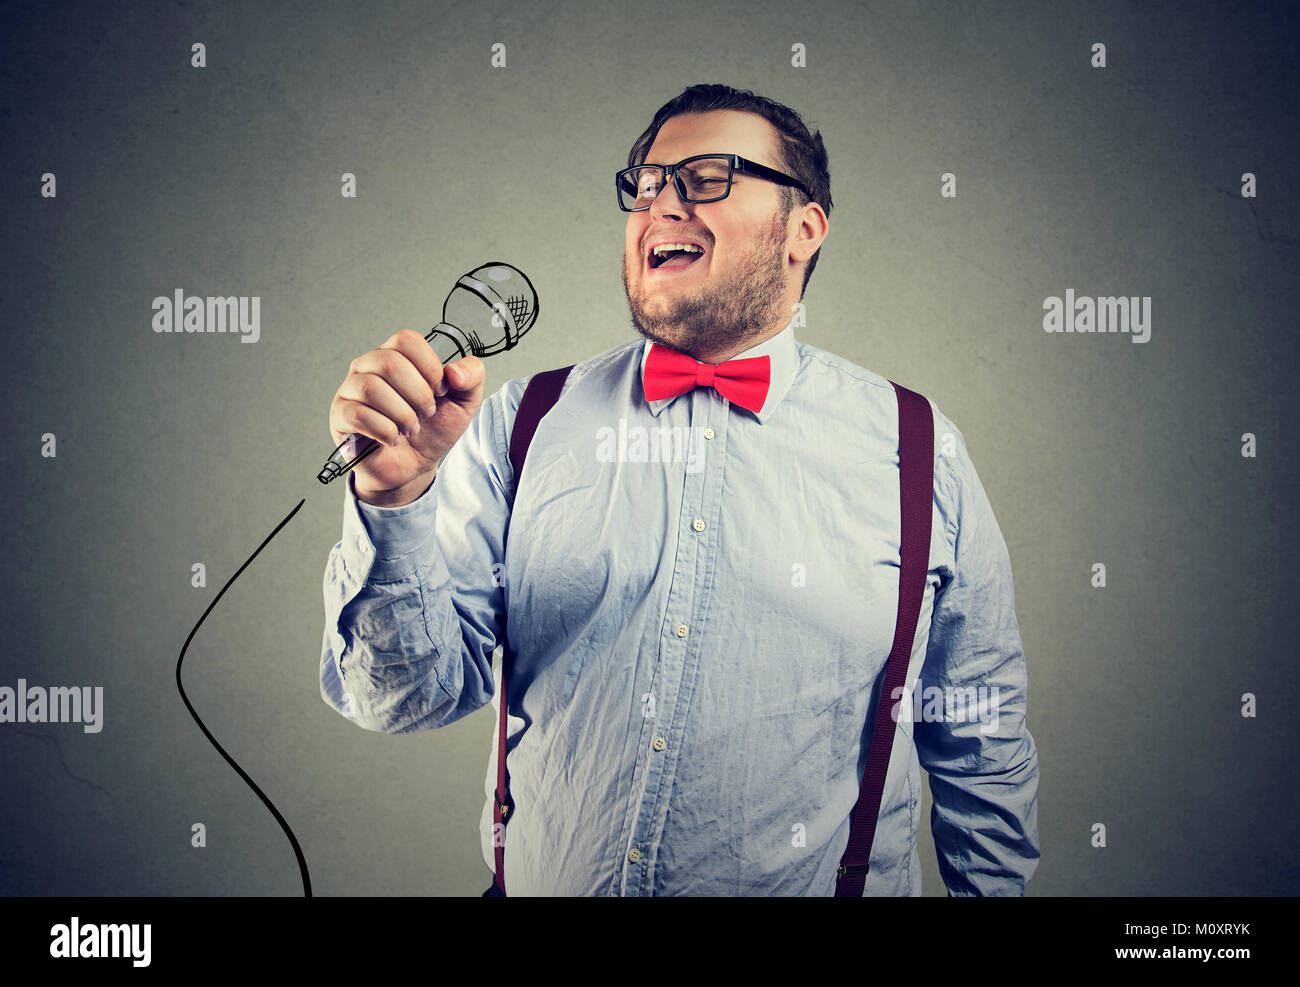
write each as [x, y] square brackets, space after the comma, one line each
[699, 592]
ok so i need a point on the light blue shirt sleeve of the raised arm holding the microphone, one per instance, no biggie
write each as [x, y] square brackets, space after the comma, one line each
[414, 598]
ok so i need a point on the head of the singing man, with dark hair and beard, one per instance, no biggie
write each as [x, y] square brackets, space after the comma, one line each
[760, 244]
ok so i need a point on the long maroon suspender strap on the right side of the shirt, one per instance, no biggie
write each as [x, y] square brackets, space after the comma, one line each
[916, 488]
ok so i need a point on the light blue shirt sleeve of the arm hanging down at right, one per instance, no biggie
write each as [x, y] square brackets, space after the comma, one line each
[983, 769]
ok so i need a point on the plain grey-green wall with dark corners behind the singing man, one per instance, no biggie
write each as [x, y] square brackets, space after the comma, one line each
[181, 449]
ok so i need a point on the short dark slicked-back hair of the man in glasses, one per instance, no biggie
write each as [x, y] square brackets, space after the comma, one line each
[801, 153]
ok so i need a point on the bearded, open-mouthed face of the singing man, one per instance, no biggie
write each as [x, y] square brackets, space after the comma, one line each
[739, 291]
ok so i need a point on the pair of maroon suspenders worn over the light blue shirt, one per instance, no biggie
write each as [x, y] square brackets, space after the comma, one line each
[916, 483]
